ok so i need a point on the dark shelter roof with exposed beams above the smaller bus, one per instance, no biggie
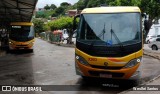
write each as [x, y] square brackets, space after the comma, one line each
[16, 10]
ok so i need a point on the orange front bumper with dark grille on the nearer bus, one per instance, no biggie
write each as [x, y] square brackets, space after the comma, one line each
[124, 73]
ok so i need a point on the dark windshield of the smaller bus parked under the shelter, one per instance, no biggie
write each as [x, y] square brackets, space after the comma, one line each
[22, 33]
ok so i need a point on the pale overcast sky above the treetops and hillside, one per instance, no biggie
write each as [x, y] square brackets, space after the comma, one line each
[42, 3]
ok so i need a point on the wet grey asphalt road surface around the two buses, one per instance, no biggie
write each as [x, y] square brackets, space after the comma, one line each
[50, 64]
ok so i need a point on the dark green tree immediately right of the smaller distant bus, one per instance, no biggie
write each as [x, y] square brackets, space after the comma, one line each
[38, 24]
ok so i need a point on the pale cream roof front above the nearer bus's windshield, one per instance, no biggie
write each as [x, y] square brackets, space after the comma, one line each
[116, 9]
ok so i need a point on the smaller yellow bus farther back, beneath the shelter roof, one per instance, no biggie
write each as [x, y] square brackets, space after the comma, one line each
[21, 36]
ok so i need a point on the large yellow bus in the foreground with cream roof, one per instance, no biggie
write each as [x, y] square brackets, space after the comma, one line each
[109, 43]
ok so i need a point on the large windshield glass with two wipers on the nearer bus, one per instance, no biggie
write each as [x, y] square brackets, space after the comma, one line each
[112, 29]
